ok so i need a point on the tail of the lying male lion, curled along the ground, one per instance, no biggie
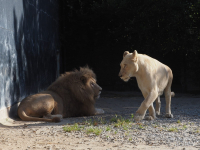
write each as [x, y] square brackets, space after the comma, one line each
[24, 117]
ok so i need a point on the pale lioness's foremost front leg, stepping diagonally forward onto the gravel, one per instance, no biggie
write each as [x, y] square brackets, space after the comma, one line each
[140, 113]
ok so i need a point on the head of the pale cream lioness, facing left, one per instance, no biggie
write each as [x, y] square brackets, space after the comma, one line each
[129, 65]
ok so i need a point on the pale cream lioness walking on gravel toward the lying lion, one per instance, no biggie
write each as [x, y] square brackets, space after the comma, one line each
[153, 79]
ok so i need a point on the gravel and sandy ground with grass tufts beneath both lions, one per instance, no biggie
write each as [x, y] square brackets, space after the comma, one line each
[117, 129]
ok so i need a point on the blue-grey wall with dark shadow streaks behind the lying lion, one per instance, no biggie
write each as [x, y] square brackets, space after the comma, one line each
[29, 62]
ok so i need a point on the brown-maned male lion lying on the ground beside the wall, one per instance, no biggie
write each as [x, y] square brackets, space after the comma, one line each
[72, 94]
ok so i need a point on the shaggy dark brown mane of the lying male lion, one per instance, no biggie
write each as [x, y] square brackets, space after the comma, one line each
[78, 98]
